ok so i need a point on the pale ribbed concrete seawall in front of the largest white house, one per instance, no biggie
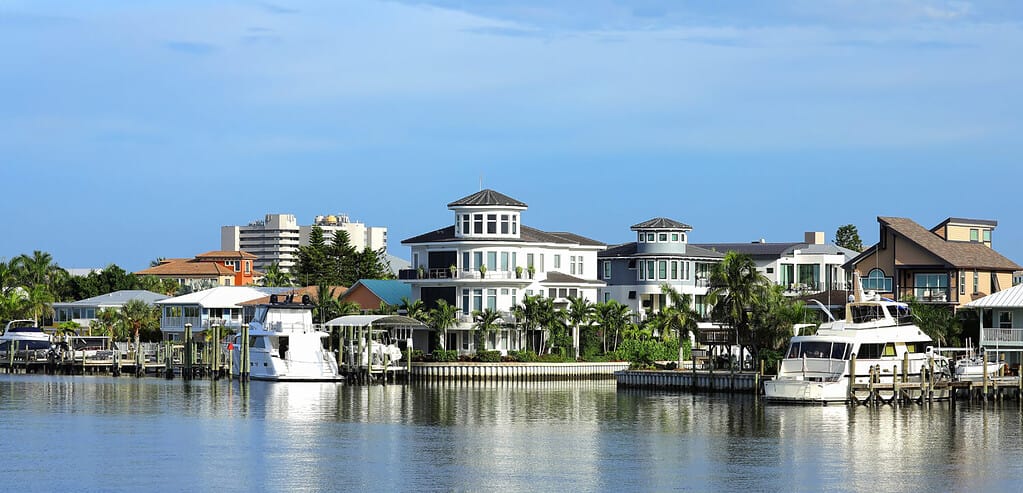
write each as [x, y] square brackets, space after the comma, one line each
[515, 372]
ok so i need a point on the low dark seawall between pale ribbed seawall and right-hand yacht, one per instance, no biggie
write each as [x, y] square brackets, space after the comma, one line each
[700, 381]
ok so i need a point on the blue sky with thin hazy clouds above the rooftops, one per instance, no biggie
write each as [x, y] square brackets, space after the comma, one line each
[135, 130]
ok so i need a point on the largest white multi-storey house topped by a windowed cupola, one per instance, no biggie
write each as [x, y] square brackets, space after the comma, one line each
[490, 259]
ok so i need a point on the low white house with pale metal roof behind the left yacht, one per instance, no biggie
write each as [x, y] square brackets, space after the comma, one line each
[218, 306]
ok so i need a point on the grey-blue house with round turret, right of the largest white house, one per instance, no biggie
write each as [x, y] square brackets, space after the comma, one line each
[661, 255]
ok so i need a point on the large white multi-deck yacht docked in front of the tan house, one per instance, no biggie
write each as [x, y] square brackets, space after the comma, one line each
[879, 332]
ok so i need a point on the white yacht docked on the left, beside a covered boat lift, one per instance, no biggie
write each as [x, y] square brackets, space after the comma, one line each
[285, 345]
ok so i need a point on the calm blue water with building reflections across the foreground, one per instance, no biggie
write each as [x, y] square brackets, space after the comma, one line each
[101, 434]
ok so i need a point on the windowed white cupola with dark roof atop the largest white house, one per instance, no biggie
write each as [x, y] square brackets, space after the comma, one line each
[487, 214]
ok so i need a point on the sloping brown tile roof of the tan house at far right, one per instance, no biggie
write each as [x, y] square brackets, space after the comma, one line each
[957, 254]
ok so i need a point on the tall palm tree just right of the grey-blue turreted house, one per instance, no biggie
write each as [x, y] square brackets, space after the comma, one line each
[737, 292]
